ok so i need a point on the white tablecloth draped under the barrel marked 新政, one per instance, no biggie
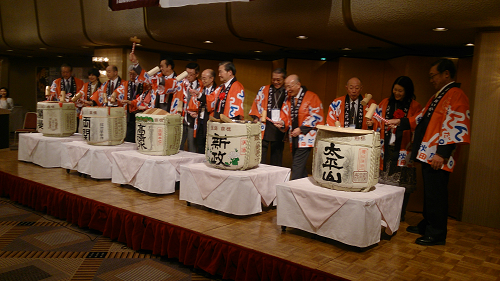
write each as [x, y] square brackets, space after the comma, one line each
[232, 192]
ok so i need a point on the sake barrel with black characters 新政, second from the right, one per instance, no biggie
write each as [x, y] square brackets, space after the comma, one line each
[233, 146]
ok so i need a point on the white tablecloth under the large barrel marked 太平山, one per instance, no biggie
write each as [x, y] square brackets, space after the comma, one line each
[353, 218]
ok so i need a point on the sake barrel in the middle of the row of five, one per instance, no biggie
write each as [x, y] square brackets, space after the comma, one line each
[157, 132]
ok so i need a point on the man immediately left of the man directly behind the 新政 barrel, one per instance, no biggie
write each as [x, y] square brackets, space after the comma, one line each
[198, 108]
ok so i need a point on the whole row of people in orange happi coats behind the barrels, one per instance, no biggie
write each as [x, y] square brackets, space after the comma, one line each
[286, 107]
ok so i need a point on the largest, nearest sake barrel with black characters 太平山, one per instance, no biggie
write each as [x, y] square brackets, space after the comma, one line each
[346, 159]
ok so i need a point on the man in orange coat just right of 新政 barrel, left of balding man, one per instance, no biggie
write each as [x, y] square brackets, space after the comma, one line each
[267, 104]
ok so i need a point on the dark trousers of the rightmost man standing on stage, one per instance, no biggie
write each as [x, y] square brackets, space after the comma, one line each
[435, 213]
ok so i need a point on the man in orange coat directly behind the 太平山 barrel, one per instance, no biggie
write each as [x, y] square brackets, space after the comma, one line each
[348, 110]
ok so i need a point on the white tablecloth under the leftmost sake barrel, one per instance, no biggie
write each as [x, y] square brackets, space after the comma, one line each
[43, 151]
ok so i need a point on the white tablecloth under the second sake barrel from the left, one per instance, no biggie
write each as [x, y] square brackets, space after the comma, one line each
[93, 160]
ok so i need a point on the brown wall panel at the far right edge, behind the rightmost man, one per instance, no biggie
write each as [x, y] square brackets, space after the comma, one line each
[482, 193]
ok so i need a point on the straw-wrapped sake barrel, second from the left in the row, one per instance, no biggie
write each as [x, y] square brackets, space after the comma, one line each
[104, 125]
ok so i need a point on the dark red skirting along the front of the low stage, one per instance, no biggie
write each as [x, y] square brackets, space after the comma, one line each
[142, 233]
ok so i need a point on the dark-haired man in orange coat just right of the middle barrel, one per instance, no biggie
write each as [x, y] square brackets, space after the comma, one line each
[189, 87]
